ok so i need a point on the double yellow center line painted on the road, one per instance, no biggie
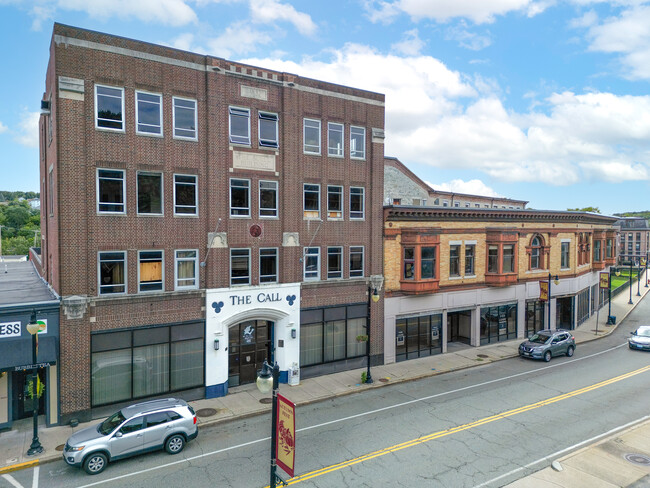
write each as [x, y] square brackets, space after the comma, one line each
[460, 428]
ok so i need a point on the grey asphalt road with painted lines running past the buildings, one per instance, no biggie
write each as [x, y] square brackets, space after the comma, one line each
[473, 428]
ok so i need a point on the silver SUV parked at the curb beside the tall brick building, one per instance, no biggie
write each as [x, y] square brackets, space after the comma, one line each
[139, 428]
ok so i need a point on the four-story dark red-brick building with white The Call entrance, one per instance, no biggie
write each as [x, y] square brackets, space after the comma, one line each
[200, 216]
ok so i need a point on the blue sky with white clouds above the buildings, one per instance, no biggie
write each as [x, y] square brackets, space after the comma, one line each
[539, 100]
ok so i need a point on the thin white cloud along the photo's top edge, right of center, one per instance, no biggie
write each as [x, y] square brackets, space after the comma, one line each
[479, 12]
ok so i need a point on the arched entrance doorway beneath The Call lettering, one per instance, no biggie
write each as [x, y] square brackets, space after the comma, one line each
[249, 344]
